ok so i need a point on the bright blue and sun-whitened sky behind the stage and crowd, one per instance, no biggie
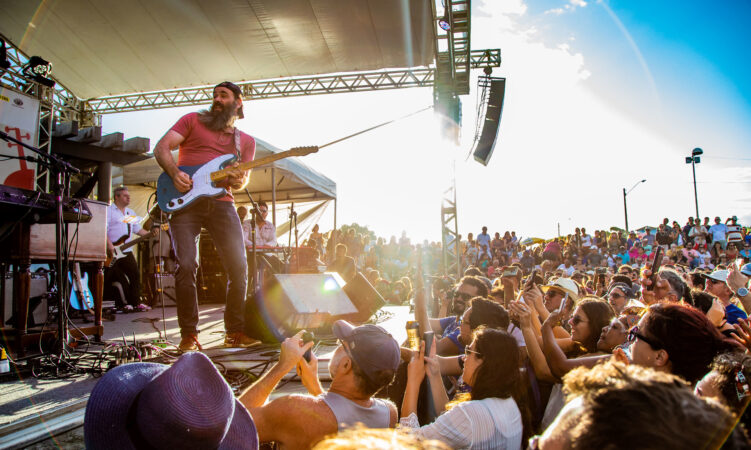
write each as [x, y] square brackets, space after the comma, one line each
[599, 95]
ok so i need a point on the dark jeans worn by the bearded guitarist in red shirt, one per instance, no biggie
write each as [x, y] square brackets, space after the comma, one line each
[221, 220]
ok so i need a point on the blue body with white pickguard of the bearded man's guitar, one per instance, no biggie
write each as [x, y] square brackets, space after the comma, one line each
[171, 200]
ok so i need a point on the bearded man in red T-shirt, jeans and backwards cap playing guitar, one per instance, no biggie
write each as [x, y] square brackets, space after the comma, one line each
[201, 137]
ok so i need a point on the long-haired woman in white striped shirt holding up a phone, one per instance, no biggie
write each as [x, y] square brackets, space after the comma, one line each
[493, 414]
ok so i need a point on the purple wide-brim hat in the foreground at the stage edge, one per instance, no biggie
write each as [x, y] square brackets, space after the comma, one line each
[186, 405]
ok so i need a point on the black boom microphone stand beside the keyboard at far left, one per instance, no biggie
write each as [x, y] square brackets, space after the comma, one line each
[61, 171]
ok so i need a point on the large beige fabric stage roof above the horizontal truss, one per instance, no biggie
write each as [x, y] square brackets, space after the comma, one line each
[113, 47]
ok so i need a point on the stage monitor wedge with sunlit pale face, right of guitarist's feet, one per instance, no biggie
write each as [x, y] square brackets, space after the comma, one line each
[286, 303]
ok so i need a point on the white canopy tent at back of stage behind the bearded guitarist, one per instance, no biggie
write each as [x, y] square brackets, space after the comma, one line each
[283, 181]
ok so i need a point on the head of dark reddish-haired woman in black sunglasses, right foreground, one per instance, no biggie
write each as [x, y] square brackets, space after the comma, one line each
[677, 339]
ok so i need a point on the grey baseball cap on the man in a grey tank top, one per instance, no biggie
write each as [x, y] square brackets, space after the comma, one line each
[372, 347]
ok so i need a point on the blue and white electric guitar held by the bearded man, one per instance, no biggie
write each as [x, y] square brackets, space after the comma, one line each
[205, 177]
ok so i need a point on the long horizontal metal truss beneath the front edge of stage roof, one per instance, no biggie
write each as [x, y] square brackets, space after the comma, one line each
[256, 90]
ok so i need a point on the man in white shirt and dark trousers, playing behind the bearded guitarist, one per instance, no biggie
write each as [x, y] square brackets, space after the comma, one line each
[122, 221]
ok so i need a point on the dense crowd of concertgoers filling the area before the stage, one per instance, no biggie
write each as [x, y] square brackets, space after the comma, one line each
[573, 343]
